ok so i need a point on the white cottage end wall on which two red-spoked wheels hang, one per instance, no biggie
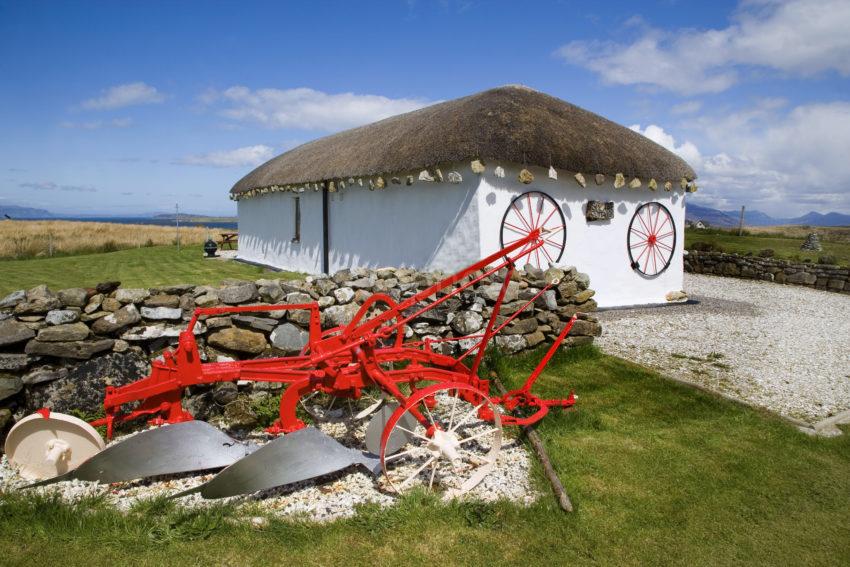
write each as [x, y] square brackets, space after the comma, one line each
[597, 248]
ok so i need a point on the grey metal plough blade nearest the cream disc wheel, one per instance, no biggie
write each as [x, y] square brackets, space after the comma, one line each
[171, 449]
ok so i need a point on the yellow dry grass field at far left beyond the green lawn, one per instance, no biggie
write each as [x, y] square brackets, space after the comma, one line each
[31, 239]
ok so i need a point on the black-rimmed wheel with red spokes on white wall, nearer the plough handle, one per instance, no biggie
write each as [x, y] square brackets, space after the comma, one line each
[536, 210]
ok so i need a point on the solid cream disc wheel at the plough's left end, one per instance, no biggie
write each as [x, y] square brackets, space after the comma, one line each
[44, 445]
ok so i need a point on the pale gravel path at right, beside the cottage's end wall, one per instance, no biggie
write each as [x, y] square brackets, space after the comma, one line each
[785, 348]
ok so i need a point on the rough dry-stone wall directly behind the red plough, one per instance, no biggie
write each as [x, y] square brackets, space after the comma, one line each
[60, 349]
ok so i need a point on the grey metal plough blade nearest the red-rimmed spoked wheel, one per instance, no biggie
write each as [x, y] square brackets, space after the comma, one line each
[298, 456]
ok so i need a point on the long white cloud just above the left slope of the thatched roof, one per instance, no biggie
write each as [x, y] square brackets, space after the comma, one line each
[306, 109]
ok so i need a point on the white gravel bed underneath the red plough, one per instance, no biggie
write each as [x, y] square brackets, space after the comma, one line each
[331, 497]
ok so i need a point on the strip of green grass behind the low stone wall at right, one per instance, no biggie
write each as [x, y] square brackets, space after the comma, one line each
[786, 248]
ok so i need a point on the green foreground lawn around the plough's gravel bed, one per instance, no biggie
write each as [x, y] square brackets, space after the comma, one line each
[659, 474]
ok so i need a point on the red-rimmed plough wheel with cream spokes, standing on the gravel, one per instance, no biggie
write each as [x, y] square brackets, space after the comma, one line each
[454, 453]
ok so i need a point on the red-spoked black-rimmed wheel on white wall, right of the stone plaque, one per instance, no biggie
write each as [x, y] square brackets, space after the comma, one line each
[651, 239]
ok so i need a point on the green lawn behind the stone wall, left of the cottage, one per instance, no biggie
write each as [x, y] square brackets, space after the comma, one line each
[137, 267]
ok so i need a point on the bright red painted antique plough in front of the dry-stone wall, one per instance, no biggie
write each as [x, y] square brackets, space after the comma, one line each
[434, 410]
